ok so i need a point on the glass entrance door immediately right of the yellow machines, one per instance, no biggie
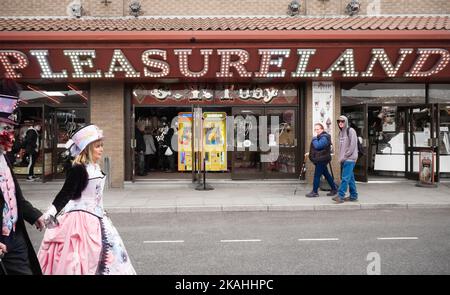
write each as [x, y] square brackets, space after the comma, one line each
[246, 162]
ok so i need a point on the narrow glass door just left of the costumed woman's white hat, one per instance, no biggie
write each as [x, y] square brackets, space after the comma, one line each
[48, 143]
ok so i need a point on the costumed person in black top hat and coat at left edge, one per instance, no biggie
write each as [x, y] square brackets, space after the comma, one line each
[16, 250]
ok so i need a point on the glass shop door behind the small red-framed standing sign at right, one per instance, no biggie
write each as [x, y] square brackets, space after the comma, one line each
[421, 135]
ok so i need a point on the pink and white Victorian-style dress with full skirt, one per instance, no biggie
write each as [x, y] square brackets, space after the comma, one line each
[85, 242]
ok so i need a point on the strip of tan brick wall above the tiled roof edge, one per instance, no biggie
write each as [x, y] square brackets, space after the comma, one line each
[221, 7]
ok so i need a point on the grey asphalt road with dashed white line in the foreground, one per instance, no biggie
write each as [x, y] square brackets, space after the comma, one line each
[323, 242]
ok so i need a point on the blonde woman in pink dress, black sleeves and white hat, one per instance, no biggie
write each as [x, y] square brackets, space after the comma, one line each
[80, 238]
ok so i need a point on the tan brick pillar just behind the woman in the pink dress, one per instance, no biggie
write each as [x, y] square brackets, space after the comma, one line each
[107, 112]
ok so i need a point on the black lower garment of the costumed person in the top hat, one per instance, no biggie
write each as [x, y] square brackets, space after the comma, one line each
[16, 260]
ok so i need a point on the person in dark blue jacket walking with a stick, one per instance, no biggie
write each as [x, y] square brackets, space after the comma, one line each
[320, 155]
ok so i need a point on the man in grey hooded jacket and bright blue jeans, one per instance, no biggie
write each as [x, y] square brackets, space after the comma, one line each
[348, 155]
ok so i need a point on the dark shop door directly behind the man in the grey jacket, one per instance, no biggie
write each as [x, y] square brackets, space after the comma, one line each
[358, 119]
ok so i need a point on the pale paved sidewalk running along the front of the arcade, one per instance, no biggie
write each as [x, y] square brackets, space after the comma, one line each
[268, 195]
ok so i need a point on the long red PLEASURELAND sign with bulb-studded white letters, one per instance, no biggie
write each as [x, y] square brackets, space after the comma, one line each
[225, 64]
